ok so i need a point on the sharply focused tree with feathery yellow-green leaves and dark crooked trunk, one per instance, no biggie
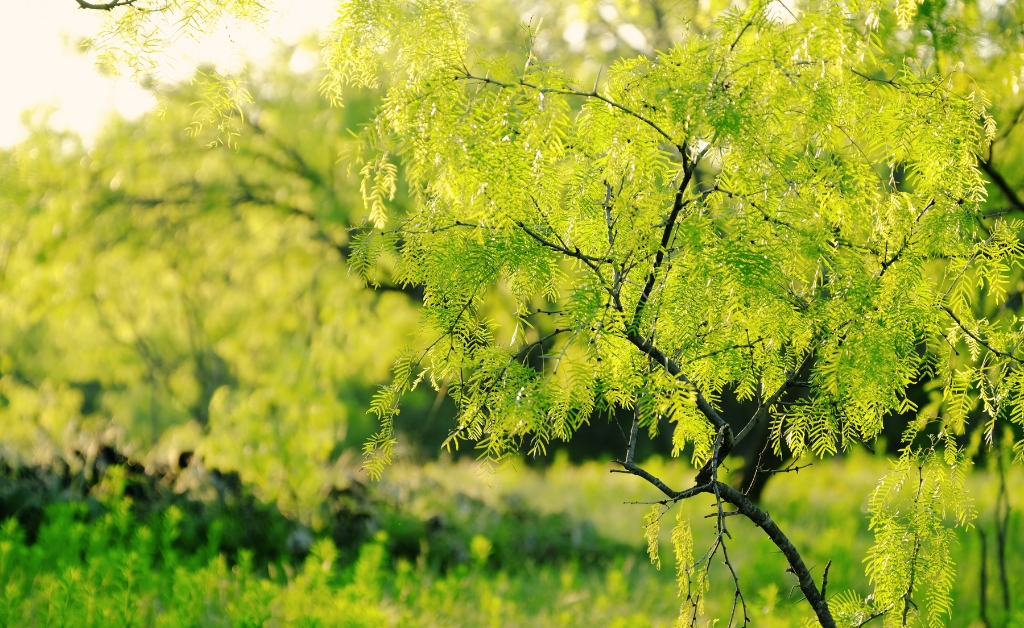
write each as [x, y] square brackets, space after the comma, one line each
[771, 211]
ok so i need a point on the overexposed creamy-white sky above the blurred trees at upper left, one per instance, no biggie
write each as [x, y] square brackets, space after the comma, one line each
[40, 69]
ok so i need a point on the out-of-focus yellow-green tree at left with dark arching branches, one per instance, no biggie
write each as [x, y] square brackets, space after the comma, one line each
[159, 294]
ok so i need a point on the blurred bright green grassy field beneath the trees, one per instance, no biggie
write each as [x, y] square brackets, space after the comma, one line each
[115, 571]
